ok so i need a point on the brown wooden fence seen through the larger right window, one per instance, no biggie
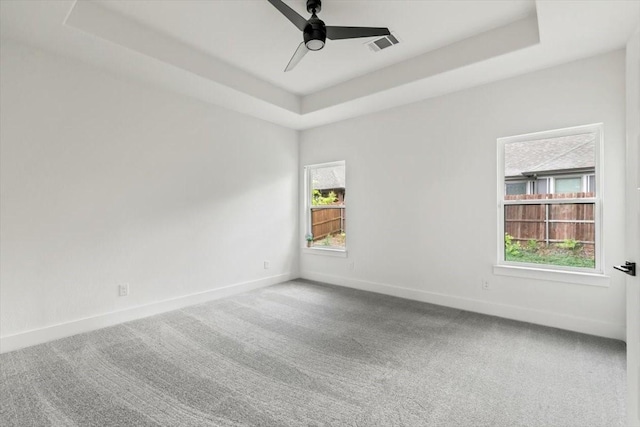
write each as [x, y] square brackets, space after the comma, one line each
[551, 223]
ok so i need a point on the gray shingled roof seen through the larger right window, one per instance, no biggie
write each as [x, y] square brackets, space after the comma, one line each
[547, 155]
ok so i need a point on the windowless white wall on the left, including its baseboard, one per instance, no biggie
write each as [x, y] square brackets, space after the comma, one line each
[105, 181]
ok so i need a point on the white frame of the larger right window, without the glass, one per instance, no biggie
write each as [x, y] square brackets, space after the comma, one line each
[519, 269]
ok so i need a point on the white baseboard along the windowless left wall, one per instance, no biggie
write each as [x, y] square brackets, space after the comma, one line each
[62, 330]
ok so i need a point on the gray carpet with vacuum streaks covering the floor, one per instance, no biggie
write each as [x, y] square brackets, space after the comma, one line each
[305, 354]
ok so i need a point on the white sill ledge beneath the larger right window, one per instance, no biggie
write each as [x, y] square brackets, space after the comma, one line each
[574, 277]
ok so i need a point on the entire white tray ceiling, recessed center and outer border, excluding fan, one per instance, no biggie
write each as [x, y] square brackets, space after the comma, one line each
[232, 53]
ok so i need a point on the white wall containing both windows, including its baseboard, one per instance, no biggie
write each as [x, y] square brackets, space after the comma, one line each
[421, 189]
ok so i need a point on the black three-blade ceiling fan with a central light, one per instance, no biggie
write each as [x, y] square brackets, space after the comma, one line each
[315, 32]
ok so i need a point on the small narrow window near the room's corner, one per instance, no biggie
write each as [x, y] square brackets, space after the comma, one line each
[325, 206]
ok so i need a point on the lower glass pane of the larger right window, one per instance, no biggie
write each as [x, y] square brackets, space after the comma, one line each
[553, 234]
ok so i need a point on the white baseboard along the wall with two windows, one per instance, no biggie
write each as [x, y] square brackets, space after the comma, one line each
[523, 314]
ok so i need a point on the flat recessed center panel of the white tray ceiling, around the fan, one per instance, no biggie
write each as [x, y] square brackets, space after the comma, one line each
[255, 37]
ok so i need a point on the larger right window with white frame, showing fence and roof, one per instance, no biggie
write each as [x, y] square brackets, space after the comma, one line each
[549, 198]
